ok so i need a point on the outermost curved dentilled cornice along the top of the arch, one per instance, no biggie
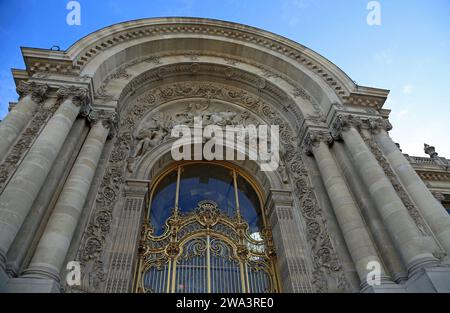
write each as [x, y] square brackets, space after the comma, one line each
[72, 61]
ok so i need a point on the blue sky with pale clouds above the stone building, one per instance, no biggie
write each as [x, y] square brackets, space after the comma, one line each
[409, 53]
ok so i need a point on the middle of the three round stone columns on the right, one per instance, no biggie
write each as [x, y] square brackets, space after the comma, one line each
[395, 216]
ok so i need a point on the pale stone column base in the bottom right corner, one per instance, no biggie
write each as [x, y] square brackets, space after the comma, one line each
[430, 280]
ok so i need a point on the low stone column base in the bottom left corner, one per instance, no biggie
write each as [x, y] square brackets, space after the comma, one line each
[32, 285]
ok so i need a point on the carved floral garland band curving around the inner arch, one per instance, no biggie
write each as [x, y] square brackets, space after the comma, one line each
[326, 262]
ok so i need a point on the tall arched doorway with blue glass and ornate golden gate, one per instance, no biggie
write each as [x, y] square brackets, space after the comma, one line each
[205, 231]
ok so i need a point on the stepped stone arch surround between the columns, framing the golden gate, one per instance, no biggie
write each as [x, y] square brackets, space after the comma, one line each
[157, 81]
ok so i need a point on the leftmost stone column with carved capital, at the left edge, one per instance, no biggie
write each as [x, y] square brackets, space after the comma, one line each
[15, 122]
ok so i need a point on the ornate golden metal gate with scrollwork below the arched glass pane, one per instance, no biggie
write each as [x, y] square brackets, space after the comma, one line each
[206, 250]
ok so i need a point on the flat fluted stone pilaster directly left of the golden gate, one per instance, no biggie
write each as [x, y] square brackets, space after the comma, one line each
[124, 249]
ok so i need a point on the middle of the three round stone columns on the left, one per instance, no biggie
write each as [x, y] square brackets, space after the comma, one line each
[23, 188]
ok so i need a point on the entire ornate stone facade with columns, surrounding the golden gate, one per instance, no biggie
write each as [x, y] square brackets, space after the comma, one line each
[112, 101]
